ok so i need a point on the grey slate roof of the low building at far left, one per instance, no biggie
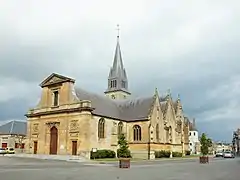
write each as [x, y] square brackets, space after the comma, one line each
[14, 127]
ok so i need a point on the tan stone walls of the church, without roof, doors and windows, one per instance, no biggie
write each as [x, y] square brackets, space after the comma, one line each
[164, 129]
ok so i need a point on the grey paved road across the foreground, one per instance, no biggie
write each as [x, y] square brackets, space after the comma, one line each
[35, 169]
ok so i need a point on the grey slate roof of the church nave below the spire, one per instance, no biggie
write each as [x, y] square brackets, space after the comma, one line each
[128, 110]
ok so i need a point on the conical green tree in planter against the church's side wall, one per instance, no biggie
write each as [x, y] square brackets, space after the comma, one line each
[123, 151]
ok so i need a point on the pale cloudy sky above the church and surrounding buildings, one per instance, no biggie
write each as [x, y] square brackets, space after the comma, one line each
[190, 47]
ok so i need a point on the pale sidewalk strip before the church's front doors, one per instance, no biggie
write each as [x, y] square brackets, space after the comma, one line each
[50, 157]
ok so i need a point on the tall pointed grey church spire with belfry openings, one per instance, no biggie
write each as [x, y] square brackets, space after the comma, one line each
[117, 79]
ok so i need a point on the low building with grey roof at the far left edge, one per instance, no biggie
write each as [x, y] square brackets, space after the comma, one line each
[13, 134]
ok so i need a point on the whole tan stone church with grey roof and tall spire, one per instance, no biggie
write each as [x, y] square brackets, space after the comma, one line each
[69, 120]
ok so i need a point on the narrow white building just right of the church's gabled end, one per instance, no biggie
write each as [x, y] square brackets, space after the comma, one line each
[194, 144]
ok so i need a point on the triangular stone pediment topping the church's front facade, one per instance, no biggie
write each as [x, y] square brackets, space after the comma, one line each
[55, 79]
